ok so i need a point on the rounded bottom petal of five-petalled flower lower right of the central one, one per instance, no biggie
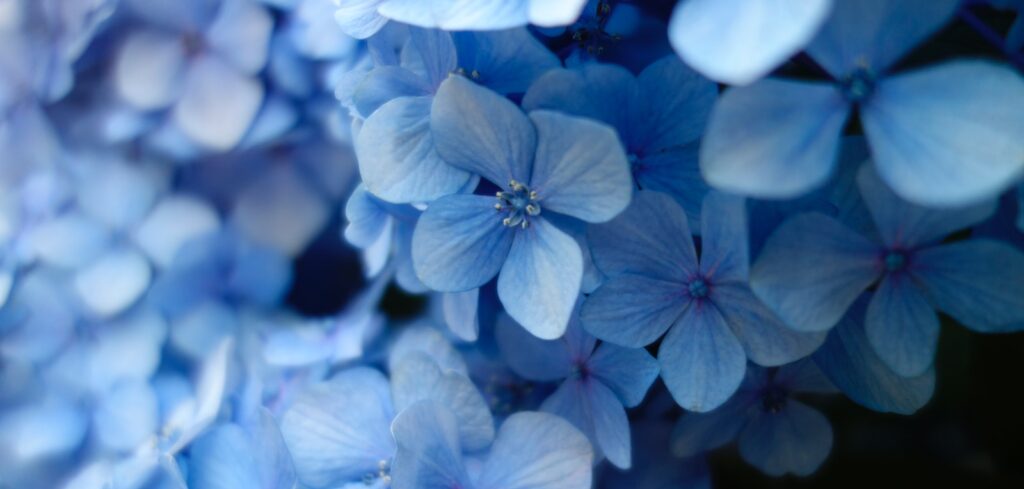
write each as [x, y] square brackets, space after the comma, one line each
[703, 364]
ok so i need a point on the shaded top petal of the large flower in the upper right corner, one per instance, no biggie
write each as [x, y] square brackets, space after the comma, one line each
[876, 33]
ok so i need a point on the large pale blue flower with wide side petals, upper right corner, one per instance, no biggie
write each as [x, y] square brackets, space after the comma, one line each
[779, 139]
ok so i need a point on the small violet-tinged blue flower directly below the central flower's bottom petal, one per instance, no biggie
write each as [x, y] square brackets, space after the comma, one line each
[598, 382]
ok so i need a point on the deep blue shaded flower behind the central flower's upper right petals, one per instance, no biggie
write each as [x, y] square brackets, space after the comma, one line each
[660, 116]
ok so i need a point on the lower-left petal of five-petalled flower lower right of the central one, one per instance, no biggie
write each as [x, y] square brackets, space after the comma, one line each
[633, 310]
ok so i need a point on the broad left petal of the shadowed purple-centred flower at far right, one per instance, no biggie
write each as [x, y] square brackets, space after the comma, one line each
[813, 270]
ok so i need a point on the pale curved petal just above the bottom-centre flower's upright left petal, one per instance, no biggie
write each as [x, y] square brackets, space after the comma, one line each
[418, 378]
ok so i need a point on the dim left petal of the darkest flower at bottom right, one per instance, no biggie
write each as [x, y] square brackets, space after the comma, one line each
[697, 433]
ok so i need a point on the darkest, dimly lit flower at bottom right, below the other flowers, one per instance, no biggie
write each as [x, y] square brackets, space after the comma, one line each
[778, 433]
